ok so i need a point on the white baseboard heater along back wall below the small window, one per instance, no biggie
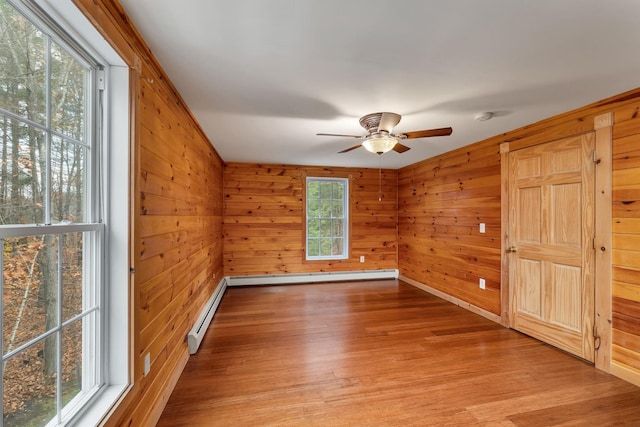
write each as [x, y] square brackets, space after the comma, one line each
[284, 279]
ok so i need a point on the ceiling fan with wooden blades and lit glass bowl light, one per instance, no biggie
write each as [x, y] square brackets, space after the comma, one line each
[380, 139]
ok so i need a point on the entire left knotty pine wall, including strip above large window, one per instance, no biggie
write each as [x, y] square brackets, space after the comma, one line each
[176, 224]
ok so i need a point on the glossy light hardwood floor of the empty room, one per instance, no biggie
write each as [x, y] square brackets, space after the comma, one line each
[382, 353]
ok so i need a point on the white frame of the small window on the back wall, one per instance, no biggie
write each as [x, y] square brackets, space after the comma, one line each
[346, 218]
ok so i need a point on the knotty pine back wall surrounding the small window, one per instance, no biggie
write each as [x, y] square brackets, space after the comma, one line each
[263, 219]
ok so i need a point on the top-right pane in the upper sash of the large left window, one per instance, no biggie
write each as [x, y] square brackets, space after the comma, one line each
[68, 82]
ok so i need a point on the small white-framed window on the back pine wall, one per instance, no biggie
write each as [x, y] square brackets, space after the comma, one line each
[327, 218]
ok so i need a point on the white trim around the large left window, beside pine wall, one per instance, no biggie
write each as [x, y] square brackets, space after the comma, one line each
[115, 360]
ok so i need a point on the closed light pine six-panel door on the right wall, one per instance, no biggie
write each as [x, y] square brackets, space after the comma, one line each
[550, 243]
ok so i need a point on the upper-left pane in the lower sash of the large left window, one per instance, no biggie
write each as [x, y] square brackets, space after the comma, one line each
[30, 288]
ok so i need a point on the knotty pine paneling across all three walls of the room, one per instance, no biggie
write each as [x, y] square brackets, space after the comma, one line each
[177, 224]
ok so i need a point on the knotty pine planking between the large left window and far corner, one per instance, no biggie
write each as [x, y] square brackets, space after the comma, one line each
[178, 241]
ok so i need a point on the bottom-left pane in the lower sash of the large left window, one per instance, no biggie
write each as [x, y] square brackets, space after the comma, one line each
[29, 397]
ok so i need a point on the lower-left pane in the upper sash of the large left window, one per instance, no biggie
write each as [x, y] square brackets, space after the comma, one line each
[22, 172]
